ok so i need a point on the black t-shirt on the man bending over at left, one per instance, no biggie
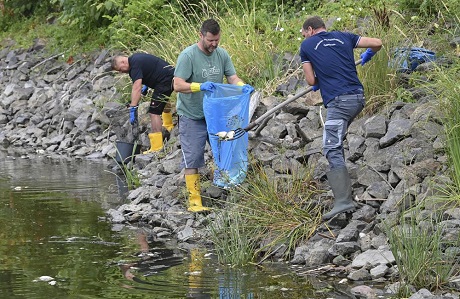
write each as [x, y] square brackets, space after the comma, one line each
[152, 70]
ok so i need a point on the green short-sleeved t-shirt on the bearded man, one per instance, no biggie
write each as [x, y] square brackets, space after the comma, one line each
[195, 66]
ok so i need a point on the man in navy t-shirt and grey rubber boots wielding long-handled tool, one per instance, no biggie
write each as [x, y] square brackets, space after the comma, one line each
[328, 64]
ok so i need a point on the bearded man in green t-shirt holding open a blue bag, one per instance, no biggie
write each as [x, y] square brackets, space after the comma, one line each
[197, 67]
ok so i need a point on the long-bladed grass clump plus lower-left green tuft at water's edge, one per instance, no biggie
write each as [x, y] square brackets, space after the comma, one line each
[277, 211]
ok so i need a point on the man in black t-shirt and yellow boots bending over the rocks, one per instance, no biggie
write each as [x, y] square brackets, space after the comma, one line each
[148, 71]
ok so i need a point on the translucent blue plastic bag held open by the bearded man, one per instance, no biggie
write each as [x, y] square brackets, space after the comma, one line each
[226, 109]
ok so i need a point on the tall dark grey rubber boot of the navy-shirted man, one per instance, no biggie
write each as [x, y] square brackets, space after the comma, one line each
[340, 183]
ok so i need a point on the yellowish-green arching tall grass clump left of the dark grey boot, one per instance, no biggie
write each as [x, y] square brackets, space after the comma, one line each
[280, 206]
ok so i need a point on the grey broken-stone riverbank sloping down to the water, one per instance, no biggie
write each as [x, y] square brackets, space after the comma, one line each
[60, 105]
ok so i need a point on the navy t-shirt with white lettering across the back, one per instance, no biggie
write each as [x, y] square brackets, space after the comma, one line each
[332, 59]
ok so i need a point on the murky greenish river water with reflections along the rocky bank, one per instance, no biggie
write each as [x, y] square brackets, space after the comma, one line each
[55, 242]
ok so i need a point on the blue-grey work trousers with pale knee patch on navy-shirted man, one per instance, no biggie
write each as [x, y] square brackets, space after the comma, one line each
[340, 113]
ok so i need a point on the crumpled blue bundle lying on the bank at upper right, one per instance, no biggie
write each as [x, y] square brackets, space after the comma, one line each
[406, 60]
